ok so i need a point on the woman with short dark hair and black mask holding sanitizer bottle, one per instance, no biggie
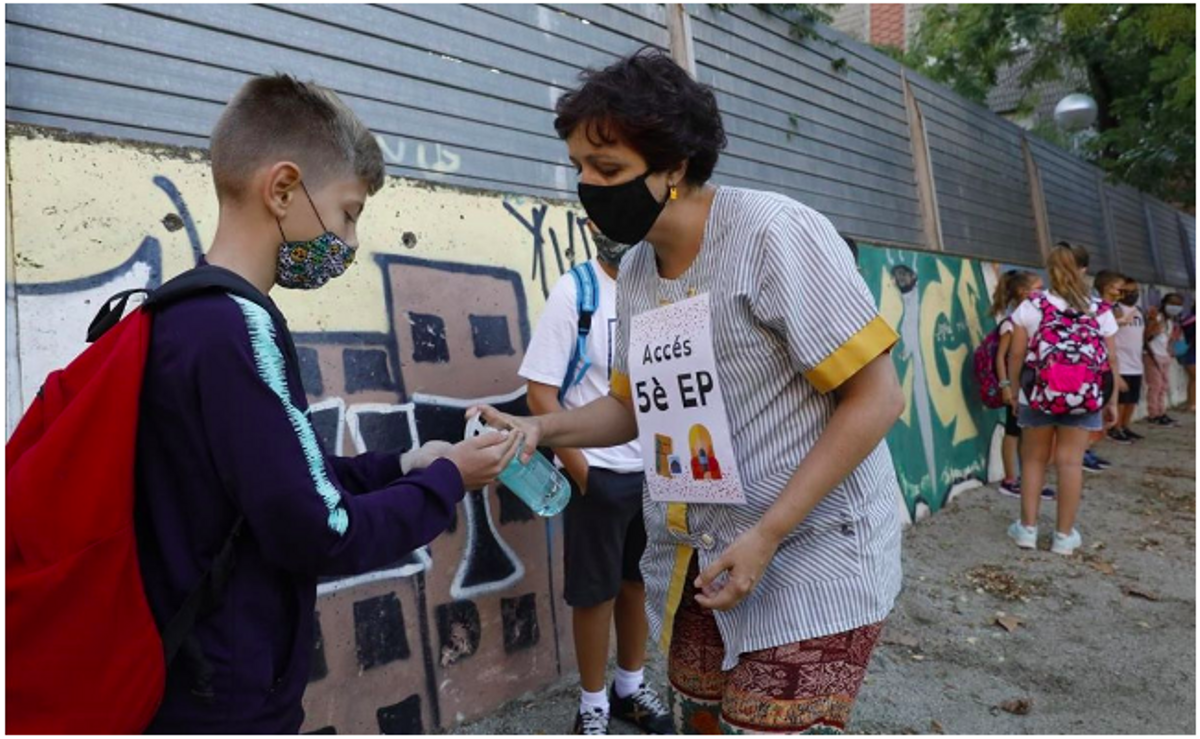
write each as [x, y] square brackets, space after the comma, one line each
[752, 362]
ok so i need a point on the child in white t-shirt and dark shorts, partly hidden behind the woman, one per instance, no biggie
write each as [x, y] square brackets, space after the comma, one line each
[604, 536]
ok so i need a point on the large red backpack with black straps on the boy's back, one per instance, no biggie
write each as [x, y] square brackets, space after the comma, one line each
[85, 654]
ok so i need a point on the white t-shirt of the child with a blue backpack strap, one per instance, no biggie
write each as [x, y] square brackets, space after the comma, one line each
[553, 345]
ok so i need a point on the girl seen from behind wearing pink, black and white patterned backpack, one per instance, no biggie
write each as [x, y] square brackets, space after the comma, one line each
[1054, 337]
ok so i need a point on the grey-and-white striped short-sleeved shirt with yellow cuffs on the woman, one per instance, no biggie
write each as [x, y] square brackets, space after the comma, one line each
[793, 320]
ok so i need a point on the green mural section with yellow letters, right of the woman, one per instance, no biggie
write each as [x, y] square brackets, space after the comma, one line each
[939, 307]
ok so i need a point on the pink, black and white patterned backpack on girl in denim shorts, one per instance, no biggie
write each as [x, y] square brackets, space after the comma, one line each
[1069, 359]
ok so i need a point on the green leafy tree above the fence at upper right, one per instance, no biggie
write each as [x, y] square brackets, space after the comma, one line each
[1139, 62]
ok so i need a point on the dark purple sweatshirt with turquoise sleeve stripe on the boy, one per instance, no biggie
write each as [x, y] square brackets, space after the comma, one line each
[225, 430]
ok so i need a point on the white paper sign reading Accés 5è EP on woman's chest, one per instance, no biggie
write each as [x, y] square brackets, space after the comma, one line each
[685, 432]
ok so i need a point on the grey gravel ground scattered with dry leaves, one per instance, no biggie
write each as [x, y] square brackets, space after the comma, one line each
[1102, 642]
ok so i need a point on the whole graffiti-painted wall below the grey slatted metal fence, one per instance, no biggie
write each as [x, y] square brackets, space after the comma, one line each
[435, 316]
